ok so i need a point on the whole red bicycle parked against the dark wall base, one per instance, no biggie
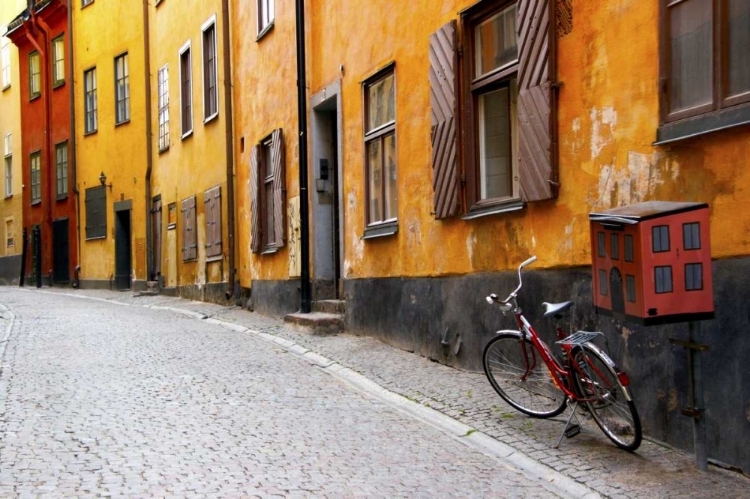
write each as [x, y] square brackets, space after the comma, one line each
[524, 372]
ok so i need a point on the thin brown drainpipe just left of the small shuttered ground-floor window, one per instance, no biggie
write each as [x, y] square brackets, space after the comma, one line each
[228, 140]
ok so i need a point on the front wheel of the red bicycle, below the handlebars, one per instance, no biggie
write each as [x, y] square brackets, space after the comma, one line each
[536, 395]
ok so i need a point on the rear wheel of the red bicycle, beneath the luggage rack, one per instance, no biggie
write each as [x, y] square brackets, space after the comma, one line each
[606, 398]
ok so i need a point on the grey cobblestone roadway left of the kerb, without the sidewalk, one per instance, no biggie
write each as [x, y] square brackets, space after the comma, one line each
[98, 399]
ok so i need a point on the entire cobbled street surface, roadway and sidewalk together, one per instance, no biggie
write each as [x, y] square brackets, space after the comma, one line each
[107, 392]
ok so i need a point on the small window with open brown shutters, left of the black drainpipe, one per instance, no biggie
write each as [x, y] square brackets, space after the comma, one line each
[268, 194]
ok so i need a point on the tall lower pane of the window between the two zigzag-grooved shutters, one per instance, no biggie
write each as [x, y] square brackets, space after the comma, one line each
[494, 144]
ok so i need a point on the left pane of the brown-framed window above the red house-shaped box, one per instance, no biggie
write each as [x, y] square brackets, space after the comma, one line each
[691, 60]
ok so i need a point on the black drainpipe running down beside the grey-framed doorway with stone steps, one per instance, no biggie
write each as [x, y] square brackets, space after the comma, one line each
[305, 300]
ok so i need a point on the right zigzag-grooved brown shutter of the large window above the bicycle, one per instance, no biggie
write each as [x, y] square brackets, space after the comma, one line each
[536, 106]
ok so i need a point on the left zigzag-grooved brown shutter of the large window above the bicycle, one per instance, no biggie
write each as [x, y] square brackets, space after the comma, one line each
[443, 85]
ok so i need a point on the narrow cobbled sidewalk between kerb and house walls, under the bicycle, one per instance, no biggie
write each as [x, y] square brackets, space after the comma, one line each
[655, 470]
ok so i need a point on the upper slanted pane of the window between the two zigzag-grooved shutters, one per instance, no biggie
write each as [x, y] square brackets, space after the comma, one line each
[496, 41]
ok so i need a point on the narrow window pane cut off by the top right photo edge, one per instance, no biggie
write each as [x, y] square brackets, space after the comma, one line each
[739, 41]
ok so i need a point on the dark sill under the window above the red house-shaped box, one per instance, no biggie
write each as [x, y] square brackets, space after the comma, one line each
[703, 124]
